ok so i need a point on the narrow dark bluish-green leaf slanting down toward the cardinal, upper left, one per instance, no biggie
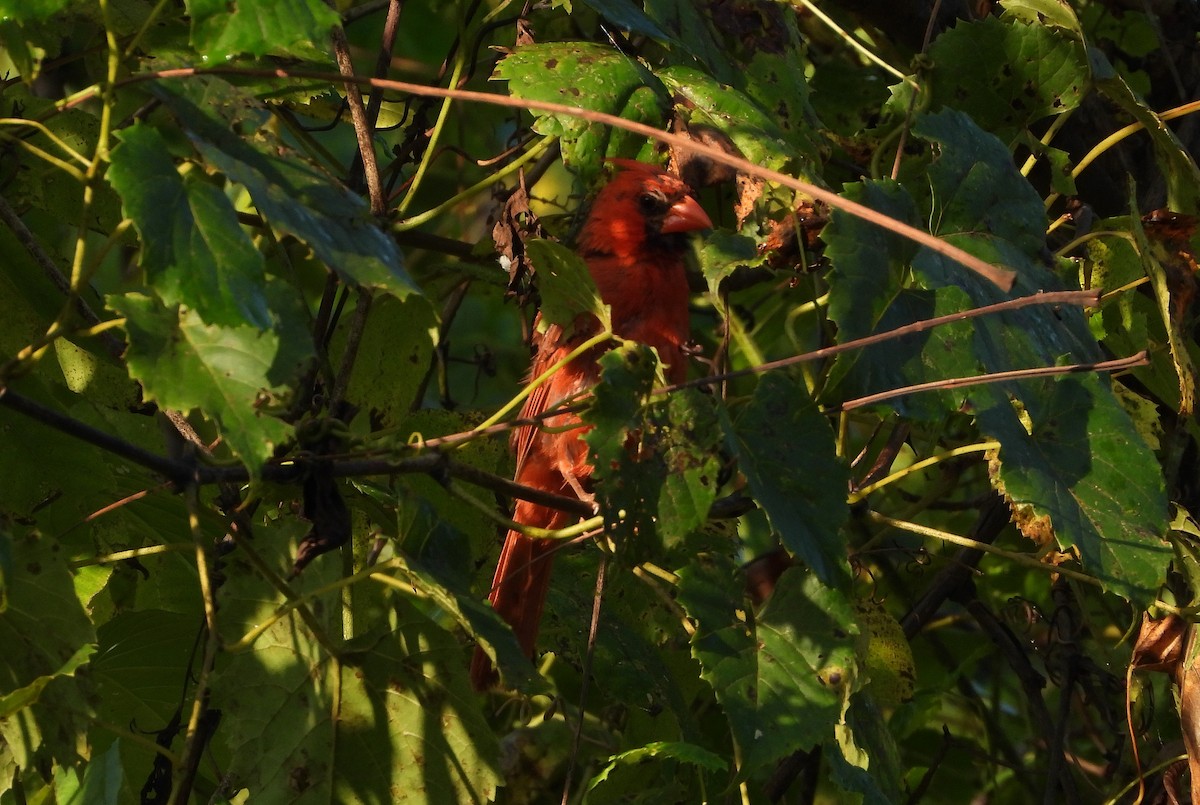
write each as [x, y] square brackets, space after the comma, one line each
[291, 195]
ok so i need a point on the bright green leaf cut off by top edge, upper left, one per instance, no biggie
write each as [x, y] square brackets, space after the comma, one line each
[298, 28]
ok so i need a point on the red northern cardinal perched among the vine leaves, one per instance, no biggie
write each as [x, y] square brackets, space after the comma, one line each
[634, 242]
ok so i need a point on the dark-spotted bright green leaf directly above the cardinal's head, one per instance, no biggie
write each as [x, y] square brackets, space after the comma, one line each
[590, 77]
